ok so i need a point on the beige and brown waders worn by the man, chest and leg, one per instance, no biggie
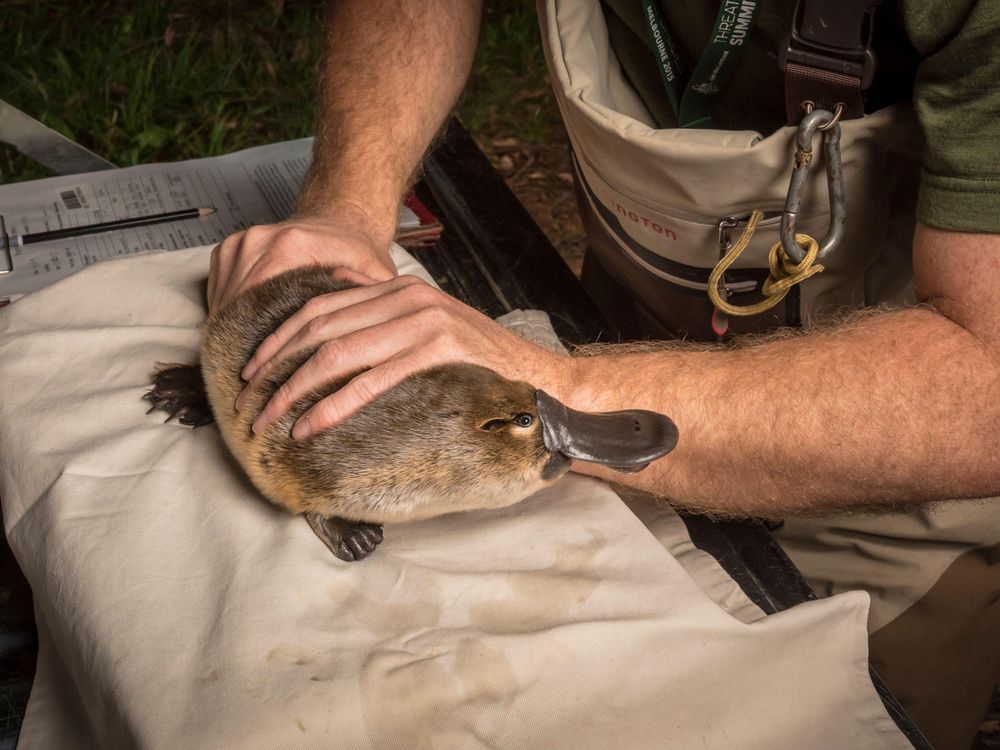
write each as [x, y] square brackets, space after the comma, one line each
[659, 206]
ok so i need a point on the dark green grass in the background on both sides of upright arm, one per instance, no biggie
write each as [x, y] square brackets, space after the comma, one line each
[147, 81]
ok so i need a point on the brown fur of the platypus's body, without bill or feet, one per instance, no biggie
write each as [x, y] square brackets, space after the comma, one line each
[418, 450]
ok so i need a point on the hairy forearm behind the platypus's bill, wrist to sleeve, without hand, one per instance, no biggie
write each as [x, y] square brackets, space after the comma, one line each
[889, 409]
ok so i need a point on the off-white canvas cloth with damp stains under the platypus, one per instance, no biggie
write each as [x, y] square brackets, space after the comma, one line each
[177, 609]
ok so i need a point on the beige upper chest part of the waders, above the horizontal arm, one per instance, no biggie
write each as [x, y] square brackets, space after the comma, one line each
[653, 198]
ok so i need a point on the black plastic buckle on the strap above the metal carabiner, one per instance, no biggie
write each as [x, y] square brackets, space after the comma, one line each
[833, 35]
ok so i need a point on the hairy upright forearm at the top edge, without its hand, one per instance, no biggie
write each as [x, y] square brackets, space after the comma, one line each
[393, 70]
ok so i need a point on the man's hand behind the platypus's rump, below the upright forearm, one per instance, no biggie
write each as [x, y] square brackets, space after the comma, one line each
[247, 258]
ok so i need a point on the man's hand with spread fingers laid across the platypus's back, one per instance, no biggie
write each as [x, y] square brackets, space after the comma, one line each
[388, 331]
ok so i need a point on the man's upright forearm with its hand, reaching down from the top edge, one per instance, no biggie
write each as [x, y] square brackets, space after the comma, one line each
[391, 73]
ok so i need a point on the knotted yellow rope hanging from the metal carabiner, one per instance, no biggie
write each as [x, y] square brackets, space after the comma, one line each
[785, 272]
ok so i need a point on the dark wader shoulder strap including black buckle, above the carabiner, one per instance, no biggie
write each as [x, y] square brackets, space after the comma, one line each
[828, 57]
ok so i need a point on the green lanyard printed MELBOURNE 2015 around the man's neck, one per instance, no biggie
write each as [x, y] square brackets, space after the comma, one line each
[693, 94]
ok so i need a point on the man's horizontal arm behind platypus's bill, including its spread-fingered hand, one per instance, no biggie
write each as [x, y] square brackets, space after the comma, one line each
[893, 408]
